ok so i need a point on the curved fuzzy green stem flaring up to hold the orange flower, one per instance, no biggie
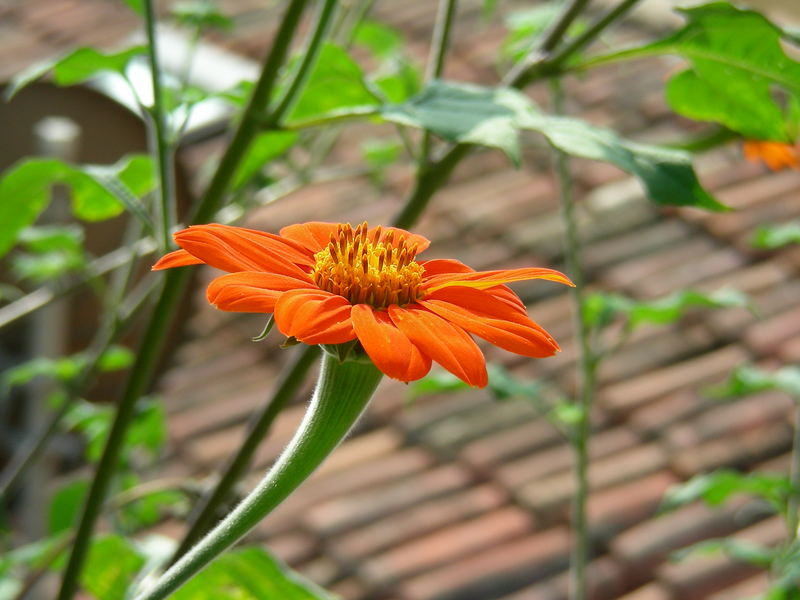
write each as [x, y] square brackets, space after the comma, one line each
[343, 391]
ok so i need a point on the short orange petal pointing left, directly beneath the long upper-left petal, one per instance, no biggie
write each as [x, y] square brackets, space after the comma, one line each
[251, 291]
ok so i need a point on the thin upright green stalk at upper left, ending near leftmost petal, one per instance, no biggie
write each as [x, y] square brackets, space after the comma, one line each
[159, 133]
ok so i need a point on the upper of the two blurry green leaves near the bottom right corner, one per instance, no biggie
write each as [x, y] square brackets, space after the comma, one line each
[718, 487]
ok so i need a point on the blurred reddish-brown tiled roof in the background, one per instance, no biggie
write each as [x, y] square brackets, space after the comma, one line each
[463, 497]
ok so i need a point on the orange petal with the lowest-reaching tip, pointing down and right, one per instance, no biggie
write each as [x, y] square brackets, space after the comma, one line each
[447, 344]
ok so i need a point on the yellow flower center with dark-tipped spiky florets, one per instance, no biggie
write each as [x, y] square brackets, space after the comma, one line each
[367, 269]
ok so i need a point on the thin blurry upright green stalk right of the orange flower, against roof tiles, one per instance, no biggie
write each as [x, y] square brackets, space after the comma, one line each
[587, 365]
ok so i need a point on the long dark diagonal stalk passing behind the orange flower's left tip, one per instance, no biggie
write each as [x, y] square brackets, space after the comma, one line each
[174, 284]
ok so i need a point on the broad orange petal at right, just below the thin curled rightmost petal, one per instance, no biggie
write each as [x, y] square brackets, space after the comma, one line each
[494, 320]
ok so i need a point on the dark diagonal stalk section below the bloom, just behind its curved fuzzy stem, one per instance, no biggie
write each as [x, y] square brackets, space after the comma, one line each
[206, 512]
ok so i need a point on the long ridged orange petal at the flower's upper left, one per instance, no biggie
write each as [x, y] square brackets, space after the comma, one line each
[236, 249]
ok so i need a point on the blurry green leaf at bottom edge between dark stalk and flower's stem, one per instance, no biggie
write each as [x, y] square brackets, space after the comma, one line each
[111, 567]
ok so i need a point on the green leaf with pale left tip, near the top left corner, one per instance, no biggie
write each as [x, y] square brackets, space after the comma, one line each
[76, 67]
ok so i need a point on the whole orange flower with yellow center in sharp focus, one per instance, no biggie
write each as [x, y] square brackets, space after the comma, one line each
[329, 283]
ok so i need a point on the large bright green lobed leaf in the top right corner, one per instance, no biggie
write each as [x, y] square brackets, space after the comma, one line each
[737, 61]
